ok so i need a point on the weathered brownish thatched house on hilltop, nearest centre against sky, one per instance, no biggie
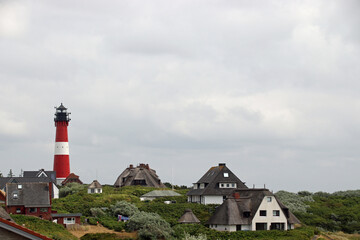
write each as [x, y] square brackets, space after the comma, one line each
[141, 175]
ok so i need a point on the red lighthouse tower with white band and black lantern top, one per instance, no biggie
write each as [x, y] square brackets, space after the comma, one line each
[61, 158]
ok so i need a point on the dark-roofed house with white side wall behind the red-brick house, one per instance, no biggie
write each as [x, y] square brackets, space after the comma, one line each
[42, 178]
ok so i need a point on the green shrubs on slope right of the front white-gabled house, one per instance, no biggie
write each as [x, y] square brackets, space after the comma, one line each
[339, 211]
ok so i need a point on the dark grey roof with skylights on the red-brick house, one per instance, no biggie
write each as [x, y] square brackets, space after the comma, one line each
[30, 195]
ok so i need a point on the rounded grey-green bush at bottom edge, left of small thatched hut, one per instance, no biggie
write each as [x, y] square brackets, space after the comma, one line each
[149, 226]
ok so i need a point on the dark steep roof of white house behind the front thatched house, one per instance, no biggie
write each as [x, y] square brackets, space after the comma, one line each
[213, 177]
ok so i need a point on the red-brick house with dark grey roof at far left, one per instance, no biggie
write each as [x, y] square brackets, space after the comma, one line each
[29, 199]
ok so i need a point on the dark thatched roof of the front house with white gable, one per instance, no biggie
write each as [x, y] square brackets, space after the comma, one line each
[231, 211]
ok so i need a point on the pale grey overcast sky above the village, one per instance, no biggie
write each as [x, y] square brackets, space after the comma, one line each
[271, 88]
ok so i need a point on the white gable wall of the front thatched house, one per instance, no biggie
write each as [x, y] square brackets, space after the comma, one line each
[269, 207]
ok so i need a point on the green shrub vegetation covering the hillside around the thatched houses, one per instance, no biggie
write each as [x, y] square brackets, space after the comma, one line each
[339, 211]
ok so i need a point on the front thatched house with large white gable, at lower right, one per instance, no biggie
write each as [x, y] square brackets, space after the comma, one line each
[250, 210]
